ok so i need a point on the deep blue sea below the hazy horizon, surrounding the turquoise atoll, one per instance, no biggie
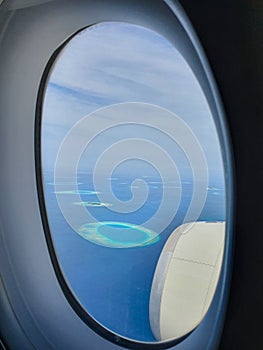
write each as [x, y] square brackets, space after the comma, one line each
[113, 284]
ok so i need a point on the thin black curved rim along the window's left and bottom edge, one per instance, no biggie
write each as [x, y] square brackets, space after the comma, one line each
[79, 309]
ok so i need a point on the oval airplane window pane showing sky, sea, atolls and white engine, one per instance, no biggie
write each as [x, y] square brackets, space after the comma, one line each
[133, 181]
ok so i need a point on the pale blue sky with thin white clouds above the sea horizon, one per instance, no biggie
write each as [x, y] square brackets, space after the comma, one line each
[115, 64]
